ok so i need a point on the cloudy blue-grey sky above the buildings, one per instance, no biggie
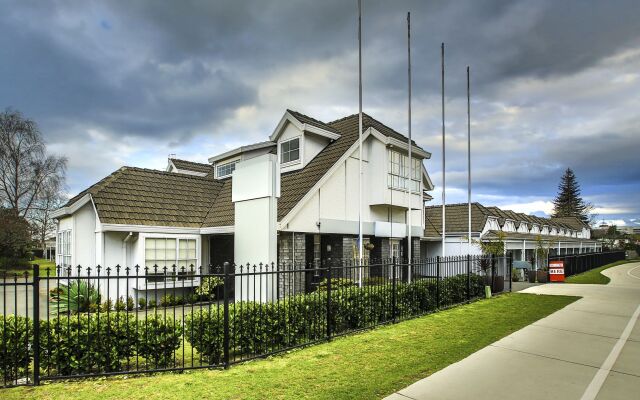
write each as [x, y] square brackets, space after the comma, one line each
[555, 84]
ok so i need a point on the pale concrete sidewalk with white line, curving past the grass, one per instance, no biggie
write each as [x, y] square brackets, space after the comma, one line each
[588, 350]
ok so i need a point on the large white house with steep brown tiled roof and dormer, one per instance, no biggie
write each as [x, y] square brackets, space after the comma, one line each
[293, 198]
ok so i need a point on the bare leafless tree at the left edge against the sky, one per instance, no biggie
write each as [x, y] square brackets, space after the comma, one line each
[26, 169]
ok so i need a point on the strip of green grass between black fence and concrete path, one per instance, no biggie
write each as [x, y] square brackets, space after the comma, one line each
[369, 365]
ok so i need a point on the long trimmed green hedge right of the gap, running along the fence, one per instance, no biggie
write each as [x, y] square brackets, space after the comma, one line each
[259, 328]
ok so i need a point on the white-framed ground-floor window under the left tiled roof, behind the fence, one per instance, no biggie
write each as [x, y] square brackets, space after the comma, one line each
[167, 252]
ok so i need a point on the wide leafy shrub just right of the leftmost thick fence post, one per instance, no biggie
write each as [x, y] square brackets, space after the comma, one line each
[87, 343]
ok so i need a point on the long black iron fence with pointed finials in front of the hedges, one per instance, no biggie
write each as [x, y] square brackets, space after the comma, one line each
[79, 322]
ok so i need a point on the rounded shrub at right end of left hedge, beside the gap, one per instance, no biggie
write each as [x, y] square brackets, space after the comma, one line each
[159, 338]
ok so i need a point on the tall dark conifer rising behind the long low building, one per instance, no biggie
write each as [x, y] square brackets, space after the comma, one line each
[569, 202]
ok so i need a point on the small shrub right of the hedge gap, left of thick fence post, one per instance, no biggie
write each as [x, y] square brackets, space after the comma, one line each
[204, 330]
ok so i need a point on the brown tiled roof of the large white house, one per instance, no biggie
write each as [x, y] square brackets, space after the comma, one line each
[138, 196]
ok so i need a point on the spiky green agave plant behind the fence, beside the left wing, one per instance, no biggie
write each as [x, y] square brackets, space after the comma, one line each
[79, 296]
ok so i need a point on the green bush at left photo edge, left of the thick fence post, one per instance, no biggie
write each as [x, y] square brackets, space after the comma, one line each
[16, 346]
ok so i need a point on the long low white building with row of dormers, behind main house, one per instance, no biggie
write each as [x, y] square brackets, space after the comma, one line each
[522, 233]
